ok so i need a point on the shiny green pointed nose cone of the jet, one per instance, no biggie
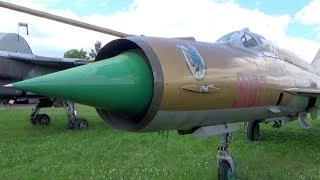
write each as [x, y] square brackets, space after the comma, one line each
[123, 83]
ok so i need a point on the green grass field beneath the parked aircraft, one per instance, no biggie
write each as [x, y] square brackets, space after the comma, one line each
[52, 152]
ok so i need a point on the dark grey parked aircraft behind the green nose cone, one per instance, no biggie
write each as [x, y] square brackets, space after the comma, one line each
[17, 66]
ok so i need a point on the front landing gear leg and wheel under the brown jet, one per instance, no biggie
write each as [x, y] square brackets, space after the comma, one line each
[226, 165]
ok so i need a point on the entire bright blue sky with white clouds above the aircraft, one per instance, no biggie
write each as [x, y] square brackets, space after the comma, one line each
[291, 24]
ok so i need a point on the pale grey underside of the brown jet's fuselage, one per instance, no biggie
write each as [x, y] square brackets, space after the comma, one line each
[166, 120]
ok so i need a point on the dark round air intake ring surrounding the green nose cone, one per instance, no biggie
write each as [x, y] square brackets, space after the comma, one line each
[141, 120]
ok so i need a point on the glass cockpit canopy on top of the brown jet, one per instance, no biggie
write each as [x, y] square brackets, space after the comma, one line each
[249, 40]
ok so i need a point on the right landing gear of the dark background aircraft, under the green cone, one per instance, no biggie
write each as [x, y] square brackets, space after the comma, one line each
[73, 121]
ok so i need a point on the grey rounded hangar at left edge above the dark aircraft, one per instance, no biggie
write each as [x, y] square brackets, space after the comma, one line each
[12, 42]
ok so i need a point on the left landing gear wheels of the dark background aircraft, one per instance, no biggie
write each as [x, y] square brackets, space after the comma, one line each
[42, 119]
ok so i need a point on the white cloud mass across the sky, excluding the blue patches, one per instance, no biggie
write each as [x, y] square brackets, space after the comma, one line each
[207, 20]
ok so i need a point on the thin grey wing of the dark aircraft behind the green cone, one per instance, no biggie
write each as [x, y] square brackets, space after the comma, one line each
[44, 61]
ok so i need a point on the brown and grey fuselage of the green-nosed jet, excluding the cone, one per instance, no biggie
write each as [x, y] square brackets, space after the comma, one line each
[237, 84]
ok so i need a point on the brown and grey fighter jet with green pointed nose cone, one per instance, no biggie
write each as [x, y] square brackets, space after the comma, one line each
[146, 84]
